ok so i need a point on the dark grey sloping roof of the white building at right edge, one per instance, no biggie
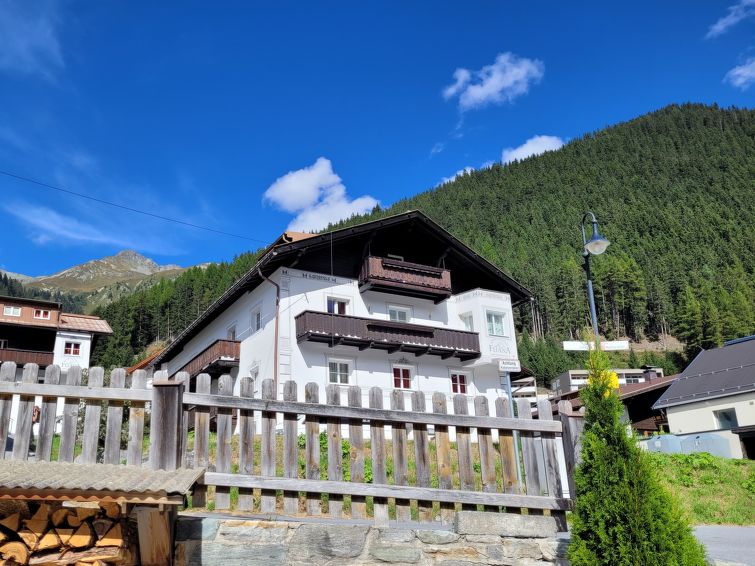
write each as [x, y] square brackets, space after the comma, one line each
[724, 371]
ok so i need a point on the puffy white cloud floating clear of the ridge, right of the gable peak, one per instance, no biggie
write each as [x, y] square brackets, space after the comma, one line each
[508, 77]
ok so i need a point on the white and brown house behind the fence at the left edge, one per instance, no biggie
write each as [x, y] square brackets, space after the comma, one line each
[37, 331]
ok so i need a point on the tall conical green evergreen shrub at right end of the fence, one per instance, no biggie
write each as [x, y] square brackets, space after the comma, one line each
[623, 516]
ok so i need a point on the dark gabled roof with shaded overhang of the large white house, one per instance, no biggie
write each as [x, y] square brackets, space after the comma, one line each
[411, 234]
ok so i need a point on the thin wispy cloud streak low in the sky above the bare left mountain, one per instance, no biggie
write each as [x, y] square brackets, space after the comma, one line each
[46, 225]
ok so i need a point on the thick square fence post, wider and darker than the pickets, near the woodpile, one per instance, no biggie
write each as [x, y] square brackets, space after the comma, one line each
[166, 423]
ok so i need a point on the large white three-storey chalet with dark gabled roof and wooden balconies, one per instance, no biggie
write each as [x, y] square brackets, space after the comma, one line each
[394, 303]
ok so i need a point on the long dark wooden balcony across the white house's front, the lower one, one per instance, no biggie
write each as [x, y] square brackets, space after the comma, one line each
[337, 329]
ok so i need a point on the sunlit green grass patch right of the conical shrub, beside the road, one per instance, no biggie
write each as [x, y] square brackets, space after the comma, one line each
[711, 490]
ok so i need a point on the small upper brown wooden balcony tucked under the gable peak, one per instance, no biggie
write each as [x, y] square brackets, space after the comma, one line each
[405, 278]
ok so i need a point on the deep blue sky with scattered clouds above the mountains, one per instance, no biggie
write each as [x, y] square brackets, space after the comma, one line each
[253, 118]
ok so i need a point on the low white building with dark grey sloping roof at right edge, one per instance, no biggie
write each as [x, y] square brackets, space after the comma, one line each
[716, 394]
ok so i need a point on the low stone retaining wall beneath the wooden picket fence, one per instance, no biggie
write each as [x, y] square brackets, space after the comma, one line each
[476, 538]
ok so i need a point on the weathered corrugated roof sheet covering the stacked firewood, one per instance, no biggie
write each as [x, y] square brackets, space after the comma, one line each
[20, 474]
